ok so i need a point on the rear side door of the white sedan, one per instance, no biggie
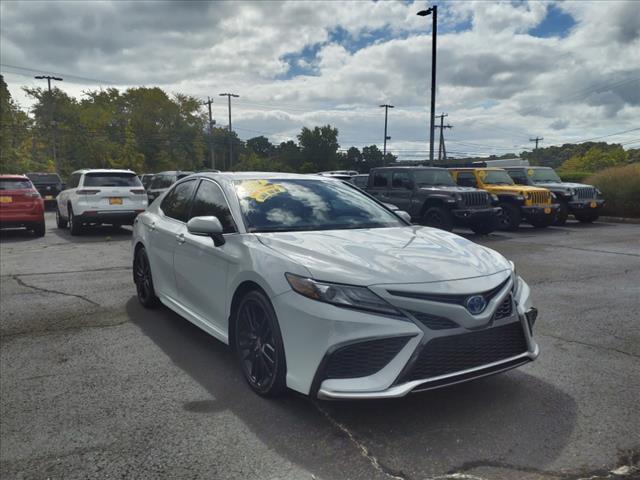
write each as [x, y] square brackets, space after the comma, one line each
[167, 230]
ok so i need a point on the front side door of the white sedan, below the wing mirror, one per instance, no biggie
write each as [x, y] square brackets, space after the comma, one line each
[201, 267]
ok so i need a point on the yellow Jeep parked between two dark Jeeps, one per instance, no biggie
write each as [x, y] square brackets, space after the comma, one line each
[534, 204]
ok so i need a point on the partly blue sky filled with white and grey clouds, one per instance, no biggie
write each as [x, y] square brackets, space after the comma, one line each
[506, 71]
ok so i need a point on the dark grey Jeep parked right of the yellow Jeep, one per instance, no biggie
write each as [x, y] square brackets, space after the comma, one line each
[583, 201]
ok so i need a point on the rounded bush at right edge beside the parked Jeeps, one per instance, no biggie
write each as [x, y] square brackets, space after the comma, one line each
[621, 189]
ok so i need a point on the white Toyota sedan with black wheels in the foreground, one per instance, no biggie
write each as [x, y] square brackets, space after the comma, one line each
[320, 288]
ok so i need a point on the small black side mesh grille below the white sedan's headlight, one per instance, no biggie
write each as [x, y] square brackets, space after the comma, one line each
[363, 358]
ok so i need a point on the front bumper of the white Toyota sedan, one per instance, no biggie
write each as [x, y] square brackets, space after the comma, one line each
[313, 332]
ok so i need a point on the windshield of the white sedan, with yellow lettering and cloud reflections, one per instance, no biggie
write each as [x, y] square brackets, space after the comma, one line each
[295, 205]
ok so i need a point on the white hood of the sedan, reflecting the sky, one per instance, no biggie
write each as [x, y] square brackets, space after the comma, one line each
[386, 255]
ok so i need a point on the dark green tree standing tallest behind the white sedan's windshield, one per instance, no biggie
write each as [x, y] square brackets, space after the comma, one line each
[319, 148]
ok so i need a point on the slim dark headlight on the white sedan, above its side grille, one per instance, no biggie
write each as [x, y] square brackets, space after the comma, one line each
[348, 296]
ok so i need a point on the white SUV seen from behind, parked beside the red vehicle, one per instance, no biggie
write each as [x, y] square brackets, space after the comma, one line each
[97, 196]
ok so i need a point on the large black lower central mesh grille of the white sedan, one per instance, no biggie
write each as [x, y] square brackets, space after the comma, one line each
[455, 353]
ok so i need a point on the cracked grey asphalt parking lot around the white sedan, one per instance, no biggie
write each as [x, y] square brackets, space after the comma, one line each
[94, 386]
